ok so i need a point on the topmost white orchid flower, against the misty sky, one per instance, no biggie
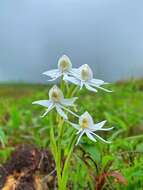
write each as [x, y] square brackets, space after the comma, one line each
[64, 69]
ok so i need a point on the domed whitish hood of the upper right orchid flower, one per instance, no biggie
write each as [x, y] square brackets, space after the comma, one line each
[86, 73]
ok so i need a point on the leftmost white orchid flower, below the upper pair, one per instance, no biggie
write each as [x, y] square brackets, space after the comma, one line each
[57, 101]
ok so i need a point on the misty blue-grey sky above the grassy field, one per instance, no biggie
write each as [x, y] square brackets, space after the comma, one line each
[106, 34]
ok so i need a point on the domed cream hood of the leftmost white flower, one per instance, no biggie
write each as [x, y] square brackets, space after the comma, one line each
[55, 94]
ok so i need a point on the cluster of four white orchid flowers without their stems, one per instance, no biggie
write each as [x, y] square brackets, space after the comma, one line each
[82, 77]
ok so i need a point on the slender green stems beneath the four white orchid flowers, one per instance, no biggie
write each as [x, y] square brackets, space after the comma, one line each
[56, 146]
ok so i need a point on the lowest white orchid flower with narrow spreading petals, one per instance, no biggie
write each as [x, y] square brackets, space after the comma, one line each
[87, 126]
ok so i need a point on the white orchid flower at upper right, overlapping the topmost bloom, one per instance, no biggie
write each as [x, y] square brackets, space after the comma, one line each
[83, 76]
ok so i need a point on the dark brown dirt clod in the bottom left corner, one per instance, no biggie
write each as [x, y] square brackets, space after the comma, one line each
[26, 169]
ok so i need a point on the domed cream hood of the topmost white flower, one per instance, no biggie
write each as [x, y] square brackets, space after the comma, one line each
[64, 64]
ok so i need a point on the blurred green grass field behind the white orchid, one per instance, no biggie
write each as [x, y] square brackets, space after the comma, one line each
[118, 165]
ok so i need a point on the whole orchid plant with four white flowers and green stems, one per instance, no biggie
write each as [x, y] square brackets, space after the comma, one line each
[80, 77]
